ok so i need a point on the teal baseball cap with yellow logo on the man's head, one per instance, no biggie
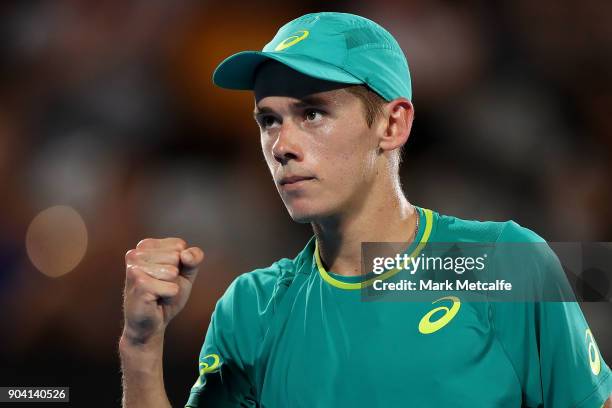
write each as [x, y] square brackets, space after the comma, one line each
[337, 47]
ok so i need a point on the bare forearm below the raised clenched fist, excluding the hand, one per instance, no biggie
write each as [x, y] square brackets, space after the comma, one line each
[143, 379]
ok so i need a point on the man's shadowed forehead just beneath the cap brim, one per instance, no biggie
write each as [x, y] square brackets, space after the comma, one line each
[275, 79]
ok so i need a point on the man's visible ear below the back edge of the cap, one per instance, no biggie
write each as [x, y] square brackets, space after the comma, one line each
[399, 114]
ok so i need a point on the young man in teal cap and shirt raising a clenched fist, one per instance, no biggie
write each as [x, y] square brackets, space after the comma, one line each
[333, 104]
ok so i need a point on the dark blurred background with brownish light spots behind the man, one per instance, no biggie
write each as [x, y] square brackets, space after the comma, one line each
[107, 110]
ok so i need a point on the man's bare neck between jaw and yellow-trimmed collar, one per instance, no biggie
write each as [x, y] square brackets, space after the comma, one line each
[384, 215]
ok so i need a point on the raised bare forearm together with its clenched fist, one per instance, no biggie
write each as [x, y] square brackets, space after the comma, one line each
[158, 280]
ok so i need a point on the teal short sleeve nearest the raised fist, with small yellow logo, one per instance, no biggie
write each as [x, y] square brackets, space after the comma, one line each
[227, 362]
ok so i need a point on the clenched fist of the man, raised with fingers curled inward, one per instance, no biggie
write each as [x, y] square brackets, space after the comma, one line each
[159, 277]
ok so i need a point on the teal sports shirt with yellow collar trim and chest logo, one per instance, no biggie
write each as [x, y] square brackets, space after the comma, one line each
[296, 335]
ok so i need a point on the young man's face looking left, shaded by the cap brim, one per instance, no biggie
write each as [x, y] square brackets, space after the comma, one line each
[316, 142]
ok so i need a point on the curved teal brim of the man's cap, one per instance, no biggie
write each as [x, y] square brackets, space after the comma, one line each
[238, 70]
